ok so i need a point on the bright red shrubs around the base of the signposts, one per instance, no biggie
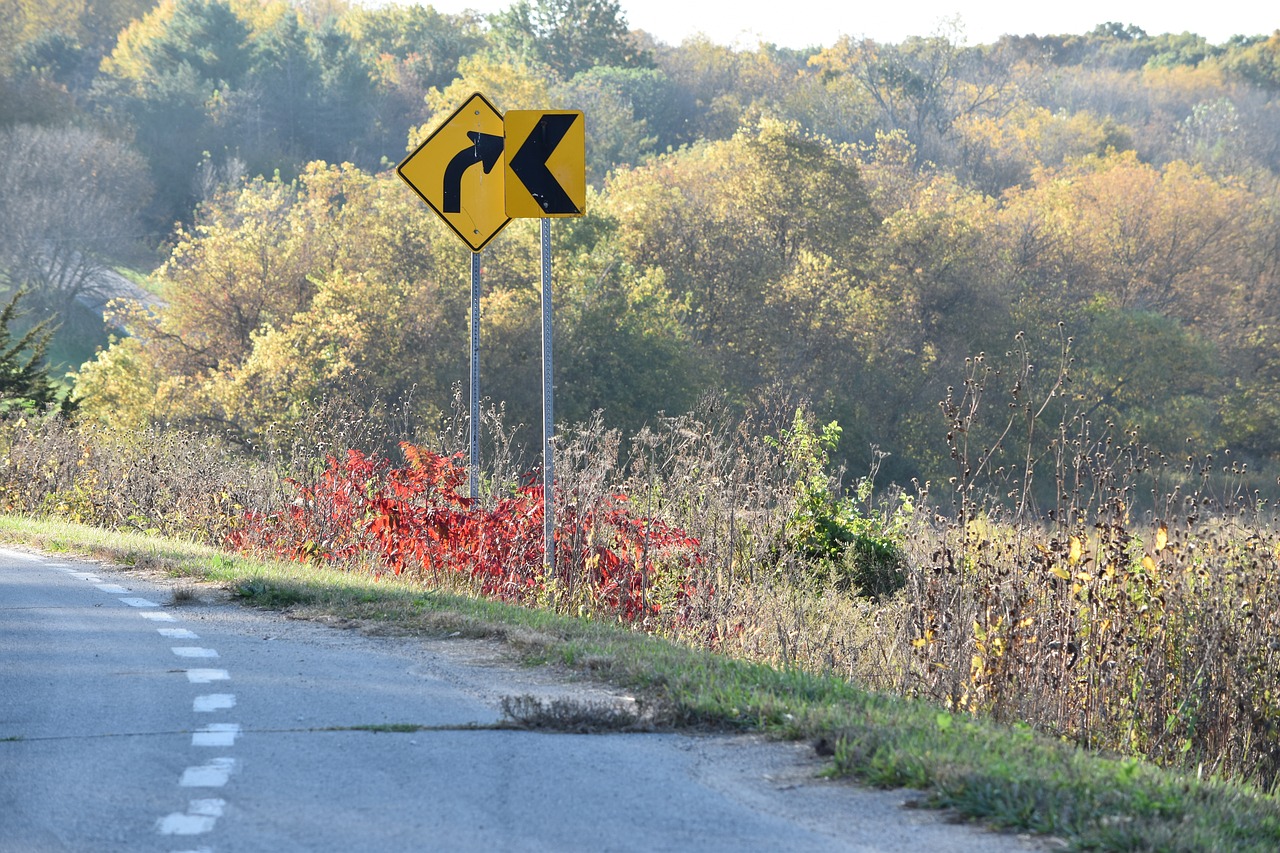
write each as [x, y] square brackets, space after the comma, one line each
[413, 521]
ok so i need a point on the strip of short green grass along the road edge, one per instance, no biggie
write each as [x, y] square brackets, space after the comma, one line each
[1008, 777]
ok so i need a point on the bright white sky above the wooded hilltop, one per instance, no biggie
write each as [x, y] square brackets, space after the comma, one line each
[803, 24]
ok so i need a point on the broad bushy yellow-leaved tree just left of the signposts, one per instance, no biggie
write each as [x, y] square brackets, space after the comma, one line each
[284, 294]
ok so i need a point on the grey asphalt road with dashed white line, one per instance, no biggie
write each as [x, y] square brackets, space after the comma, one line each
[132, 723]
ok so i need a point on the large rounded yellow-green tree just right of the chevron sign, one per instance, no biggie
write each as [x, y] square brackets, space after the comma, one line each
[743, 231]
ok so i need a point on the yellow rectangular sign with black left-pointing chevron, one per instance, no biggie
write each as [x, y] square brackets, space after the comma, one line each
[546, 163]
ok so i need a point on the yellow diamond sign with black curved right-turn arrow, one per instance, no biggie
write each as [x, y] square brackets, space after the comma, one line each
[459, 172]
